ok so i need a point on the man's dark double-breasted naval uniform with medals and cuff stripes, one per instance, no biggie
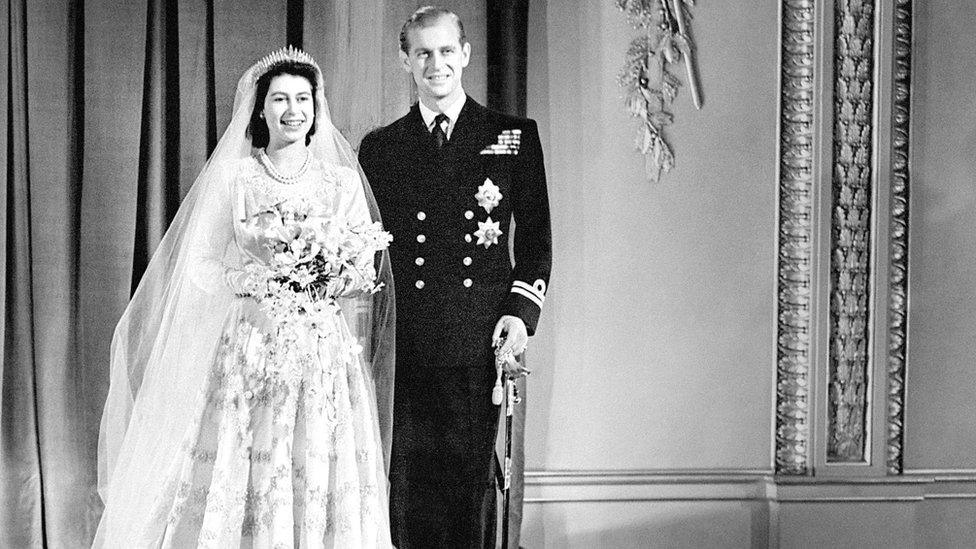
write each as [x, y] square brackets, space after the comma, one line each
[454, 279]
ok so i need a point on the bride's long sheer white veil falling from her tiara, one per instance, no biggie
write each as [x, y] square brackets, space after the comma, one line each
[165, 341]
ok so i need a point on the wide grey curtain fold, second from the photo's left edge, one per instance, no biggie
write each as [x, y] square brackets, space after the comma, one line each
[55, 171]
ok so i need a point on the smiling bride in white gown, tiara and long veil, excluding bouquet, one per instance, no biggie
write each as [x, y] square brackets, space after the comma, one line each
[223, 427]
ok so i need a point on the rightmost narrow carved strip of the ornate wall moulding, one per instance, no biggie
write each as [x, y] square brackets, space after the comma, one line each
[898, 234]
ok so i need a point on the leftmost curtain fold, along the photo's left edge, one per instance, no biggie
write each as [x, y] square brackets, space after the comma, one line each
[20, 449]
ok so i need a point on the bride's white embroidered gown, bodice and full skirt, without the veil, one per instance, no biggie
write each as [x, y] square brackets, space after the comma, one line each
[284, 447]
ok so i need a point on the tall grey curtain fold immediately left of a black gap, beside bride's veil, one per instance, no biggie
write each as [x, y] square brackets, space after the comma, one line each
[113, 64]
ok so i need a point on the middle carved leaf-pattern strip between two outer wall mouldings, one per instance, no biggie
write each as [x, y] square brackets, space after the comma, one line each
[850, 231]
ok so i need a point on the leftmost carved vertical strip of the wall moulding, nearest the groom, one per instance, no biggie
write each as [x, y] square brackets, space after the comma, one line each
[795, 238]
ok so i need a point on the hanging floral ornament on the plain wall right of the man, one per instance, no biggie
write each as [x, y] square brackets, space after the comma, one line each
[649, 85]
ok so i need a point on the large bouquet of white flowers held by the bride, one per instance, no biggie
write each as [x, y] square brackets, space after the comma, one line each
[315, 258]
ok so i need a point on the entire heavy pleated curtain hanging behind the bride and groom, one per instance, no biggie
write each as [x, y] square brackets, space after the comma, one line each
[109, 109]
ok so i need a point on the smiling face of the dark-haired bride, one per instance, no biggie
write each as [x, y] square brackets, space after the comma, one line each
[289, 110]
